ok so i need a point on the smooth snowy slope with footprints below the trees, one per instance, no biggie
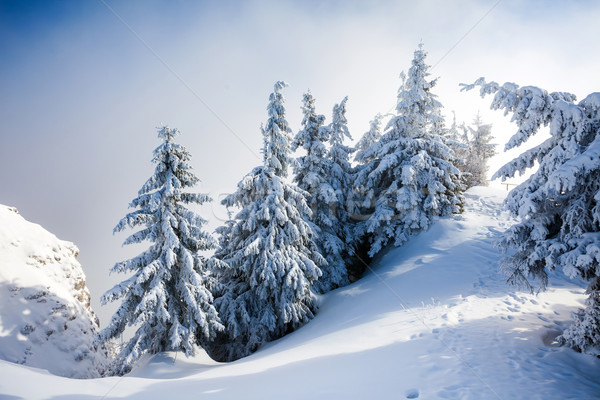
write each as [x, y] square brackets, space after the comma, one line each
[433, 320]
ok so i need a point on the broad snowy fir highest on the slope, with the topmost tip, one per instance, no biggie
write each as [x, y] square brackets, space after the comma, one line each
[413, 178]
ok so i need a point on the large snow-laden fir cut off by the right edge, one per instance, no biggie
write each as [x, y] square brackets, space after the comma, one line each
[559, 205]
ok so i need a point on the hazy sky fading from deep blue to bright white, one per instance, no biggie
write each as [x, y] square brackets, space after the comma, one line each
[84, 84]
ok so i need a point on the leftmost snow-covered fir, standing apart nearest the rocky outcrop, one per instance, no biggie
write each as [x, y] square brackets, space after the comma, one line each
[166, 298]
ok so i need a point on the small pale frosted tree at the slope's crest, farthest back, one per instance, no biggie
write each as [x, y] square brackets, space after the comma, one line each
[480, 150]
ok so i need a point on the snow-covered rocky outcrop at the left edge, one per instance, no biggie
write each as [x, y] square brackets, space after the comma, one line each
[45, 316]
